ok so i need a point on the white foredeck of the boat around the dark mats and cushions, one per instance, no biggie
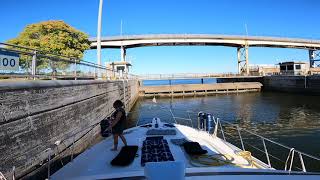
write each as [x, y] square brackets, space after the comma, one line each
[94, 163]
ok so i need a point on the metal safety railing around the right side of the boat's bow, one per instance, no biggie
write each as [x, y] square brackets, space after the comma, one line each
[223, 129]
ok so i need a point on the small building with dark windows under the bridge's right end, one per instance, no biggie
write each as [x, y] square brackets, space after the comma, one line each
[294, 68]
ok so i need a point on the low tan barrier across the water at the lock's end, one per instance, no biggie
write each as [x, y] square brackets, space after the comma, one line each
[199, 89]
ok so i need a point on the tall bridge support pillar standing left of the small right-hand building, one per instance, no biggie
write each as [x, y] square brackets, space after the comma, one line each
[243, 60]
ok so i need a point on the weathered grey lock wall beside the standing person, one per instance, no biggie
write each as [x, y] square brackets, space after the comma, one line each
[36, 115]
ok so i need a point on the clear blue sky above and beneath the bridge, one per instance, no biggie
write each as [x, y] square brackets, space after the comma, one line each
[285, 18]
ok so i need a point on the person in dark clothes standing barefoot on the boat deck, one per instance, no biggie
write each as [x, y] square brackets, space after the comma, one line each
[118, 124]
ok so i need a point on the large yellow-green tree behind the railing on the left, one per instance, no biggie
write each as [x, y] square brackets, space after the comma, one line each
[55, 37]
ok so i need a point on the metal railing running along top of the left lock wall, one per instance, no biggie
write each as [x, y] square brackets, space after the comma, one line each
[38, 64]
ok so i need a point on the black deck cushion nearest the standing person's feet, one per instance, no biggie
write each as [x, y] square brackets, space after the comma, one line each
[125, 156]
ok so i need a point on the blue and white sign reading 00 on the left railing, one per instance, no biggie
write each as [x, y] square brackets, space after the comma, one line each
[9, 61]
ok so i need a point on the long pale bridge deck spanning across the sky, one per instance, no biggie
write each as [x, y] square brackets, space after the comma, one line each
[133, 41]
